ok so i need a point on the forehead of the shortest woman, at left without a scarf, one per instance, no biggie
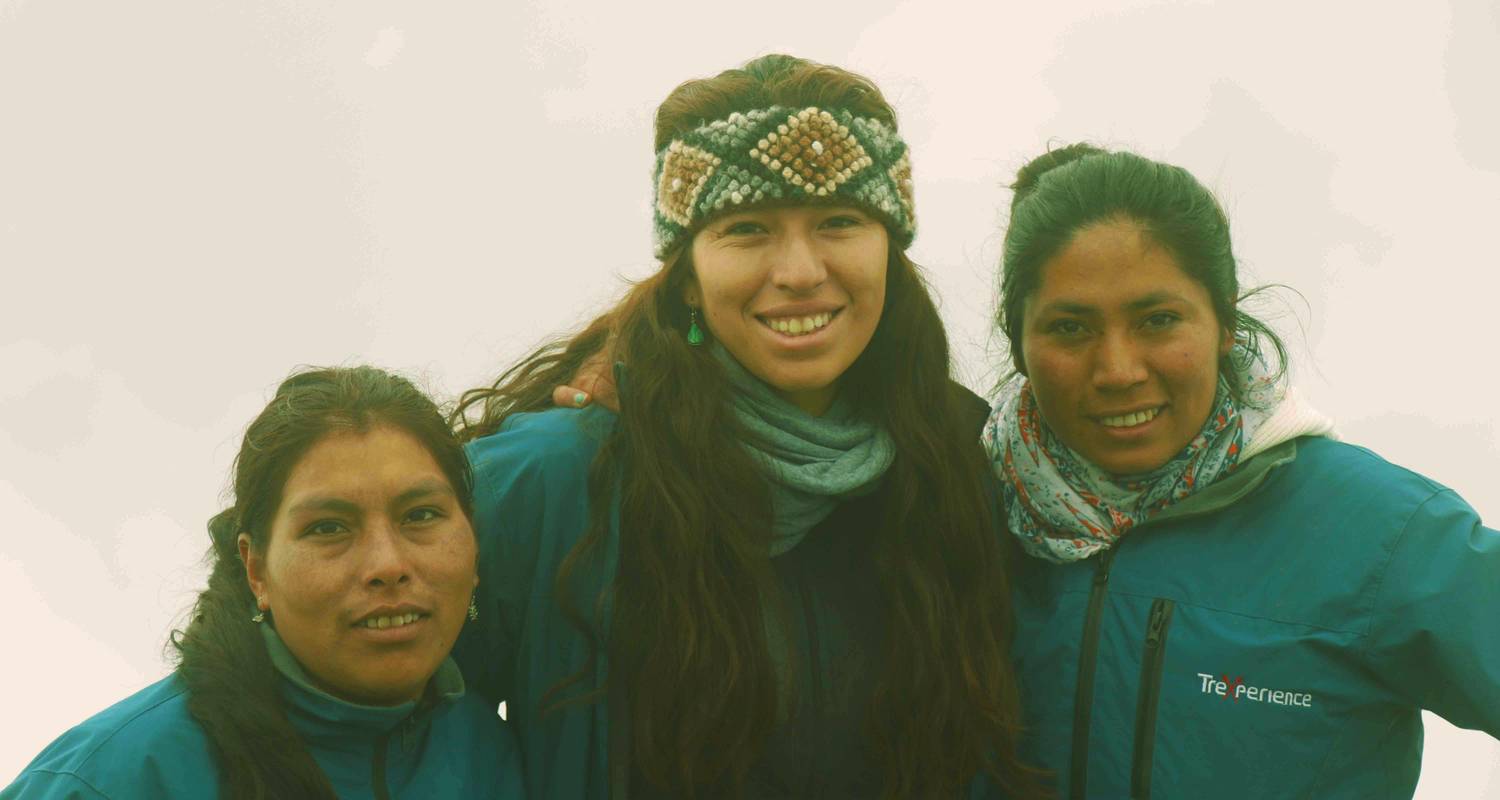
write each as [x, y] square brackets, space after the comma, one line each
[353, 465]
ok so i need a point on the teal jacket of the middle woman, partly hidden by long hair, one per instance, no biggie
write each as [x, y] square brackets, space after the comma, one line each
[530, 511]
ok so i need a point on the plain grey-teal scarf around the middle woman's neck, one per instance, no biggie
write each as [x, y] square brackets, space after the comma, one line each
[812, 463]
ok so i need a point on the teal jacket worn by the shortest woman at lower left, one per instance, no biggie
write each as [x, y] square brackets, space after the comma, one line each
[149, 748]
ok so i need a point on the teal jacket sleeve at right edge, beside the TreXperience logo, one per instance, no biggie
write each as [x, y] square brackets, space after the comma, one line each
[1436, 636]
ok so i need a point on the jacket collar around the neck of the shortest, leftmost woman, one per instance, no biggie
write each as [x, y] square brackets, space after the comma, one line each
[325, 720]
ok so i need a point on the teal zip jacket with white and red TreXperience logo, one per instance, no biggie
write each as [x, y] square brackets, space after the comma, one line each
[1276, 636]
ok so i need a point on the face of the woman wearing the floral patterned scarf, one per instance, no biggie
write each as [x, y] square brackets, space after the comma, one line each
[1123, 349]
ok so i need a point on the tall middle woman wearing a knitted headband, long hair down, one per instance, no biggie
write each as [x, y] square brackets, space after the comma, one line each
[775, 574]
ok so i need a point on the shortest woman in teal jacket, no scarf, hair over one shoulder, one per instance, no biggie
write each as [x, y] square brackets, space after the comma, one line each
[316, 664]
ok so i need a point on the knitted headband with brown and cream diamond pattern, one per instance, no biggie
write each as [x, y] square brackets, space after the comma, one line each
[779, 157]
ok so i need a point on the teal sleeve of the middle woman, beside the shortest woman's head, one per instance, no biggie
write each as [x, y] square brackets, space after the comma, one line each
[530, 507]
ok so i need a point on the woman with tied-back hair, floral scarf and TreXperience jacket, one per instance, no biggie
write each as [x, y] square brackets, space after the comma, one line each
[1223, 600]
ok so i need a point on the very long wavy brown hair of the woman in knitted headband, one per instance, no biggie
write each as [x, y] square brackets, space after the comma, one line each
[695, 577]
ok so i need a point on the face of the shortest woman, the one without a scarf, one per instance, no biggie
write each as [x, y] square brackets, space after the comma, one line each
[370, 565]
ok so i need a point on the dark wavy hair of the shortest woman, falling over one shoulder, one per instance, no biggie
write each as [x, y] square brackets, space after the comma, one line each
[232, 685]
